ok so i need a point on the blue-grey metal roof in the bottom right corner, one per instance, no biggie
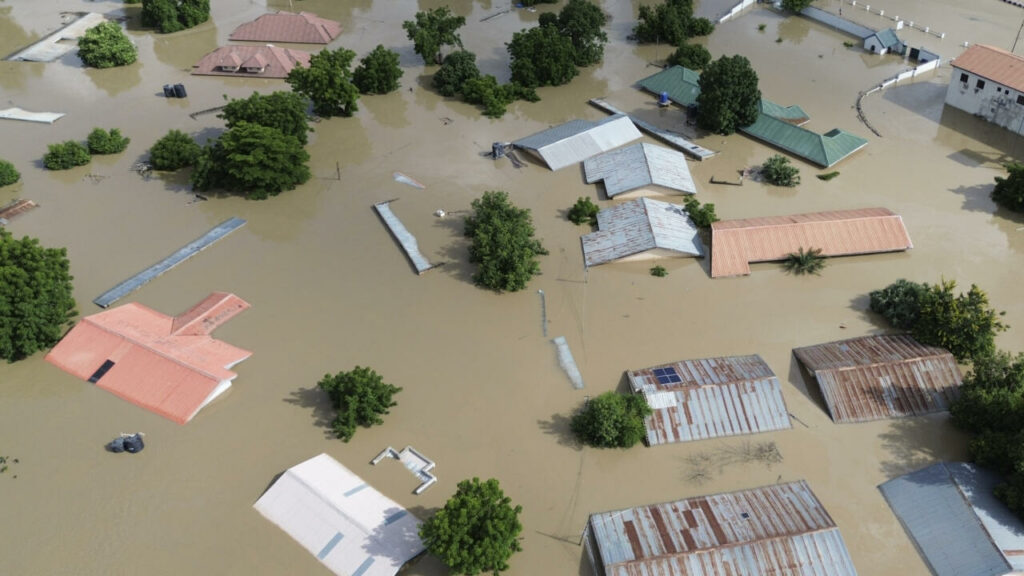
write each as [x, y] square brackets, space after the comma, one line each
[958, 525]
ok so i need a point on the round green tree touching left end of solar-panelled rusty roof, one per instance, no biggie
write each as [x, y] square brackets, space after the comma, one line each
[612, 421]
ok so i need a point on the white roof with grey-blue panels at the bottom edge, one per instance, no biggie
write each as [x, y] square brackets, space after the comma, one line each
[349, 526]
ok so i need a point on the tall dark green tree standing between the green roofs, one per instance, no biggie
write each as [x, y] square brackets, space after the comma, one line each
[730, 96]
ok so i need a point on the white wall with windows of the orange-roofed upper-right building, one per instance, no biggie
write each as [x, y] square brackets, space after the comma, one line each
[993, 101]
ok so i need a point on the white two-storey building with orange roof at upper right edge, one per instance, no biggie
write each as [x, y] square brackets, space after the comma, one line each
[990, 83]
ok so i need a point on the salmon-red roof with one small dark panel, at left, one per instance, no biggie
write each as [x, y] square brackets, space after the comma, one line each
[167, 365]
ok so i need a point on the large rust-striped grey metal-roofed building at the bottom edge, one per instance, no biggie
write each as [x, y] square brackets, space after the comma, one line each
[779, 529]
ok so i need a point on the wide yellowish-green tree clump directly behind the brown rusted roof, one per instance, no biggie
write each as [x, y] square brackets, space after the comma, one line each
[936, 316]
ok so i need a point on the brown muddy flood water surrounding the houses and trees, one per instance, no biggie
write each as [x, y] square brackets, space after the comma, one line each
[484, 395]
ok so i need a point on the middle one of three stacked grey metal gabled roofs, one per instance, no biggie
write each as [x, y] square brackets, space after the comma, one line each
[639, 166]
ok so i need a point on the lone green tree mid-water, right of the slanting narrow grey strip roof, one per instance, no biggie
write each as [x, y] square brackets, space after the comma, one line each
[503, 245]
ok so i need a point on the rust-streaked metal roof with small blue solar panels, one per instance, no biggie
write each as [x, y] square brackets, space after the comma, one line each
[711, 398]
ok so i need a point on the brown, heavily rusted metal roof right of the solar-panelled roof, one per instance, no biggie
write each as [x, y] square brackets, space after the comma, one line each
[884, 377]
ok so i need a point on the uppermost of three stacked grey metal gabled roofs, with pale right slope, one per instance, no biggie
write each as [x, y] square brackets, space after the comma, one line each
[579, 140]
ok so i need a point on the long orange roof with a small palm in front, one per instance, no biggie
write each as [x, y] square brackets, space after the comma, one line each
[737, 243]
